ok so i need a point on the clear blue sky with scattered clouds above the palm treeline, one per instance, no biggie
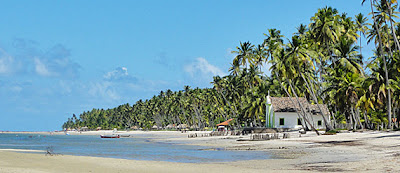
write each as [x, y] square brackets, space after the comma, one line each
[59, 58]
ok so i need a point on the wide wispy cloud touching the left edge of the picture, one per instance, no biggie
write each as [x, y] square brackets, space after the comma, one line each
[28, 59]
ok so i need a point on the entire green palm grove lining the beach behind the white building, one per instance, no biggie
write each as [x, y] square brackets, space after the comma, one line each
[321, 62]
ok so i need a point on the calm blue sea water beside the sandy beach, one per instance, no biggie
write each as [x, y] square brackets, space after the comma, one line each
[136, 148]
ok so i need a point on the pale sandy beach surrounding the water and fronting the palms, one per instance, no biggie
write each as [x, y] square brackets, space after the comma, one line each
[344, 152]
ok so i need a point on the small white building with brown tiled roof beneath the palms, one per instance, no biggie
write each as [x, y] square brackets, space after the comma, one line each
[283, 113]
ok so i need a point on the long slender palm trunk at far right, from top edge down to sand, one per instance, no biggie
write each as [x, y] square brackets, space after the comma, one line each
[386, 72]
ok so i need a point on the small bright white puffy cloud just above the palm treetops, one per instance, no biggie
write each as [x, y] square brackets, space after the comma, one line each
[203, 67]
